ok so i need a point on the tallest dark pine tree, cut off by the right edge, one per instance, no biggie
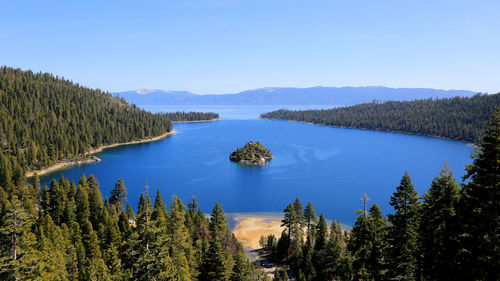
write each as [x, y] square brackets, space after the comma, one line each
[479, 209]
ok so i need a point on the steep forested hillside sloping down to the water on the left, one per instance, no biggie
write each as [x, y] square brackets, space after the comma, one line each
[46, 119]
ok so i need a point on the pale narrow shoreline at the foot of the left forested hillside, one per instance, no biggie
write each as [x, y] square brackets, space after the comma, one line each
[93, 159]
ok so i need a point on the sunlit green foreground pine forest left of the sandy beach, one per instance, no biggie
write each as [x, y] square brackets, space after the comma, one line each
[69, 233]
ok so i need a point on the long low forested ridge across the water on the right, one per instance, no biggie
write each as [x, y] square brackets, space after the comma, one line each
[459, 118]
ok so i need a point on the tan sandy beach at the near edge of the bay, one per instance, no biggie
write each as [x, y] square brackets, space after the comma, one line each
[249, 228]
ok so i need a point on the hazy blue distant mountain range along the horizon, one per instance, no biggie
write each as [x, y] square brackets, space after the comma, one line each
[290, 96]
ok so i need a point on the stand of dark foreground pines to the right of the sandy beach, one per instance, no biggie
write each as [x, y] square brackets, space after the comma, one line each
[447, 233]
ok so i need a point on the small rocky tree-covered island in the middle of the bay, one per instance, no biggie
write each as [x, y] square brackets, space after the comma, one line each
[253, 153]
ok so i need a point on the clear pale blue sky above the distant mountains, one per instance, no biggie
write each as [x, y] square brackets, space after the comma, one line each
[224, 46]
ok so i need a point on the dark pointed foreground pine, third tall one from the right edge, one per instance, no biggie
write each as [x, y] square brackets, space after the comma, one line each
[403, 234]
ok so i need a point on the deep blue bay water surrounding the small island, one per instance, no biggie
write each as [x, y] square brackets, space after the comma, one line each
[331, 167]
